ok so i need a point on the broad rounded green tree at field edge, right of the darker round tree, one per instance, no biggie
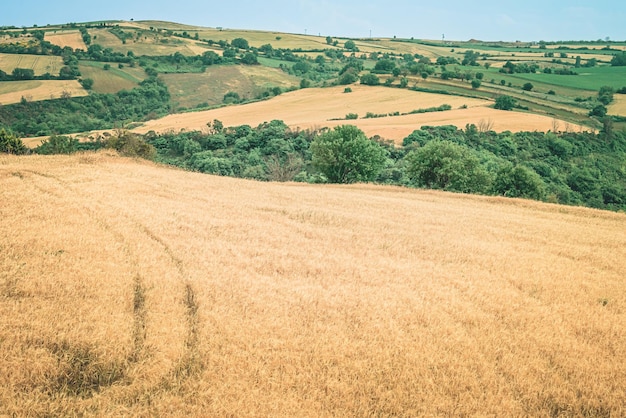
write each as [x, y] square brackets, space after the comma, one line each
[447, 166]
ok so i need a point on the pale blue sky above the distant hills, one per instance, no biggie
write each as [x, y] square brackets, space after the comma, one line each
[489, 20]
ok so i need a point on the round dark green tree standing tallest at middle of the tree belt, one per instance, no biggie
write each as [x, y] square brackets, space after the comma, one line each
[346, 155]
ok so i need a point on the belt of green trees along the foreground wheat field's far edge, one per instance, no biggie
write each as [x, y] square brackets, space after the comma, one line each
[573, 168]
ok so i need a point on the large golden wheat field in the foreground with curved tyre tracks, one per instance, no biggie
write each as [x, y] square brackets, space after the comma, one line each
[130, 289]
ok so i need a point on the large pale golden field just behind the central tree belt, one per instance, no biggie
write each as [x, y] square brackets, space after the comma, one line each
[314, 108]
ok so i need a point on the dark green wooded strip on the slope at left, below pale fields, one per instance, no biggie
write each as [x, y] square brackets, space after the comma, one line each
[96, 111]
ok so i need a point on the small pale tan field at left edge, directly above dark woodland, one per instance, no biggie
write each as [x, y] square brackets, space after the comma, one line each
[35, 90]
